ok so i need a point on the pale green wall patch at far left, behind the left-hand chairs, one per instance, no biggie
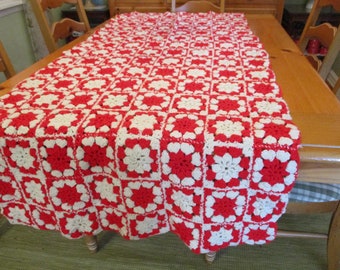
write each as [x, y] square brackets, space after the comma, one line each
[16, 41]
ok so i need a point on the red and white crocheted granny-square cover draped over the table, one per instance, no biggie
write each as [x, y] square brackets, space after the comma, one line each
[156, 123]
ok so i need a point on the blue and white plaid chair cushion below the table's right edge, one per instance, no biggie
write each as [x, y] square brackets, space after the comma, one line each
[314, 192]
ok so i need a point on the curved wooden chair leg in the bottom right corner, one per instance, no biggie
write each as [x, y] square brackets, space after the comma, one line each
[333, 245]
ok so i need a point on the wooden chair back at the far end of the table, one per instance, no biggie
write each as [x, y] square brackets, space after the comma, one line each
[198, 6]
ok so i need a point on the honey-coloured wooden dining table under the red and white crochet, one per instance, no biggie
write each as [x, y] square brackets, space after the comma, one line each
[313, 106]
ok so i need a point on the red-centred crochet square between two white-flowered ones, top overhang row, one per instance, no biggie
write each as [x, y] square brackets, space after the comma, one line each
[182, 163]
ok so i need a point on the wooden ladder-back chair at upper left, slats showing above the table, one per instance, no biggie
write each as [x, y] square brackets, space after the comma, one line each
[62, 29]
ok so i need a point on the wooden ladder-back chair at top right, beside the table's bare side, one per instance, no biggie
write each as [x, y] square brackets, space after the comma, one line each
[316, 35]
